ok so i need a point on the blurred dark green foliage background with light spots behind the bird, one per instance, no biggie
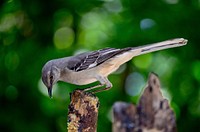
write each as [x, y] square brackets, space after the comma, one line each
[33, 32]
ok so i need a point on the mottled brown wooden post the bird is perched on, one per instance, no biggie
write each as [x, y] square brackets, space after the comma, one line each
[83, 112]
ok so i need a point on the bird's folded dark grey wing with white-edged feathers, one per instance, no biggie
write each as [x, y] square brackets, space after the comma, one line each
[92, 59]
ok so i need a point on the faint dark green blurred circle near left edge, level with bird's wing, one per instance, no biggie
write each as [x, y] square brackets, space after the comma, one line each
[12, 60]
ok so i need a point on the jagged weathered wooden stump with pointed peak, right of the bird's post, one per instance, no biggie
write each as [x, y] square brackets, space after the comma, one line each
[152, 114]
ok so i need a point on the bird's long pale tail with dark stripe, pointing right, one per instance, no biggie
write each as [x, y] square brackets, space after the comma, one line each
[161, 45]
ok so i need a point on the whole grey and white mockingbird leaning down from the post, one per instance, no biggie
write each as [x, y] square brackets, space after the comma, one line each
[95, 66]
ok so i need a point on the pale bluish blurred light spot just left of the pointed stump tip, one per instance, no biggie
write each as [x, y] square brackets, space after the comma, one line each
[134, 84]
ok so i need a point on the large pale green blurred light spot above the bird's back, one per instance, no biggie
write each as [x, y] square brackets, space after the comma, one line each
[96, 28]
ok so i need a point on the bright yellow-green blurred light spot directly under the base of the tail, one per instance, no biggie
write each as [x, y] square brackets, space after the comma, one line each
[143, 61]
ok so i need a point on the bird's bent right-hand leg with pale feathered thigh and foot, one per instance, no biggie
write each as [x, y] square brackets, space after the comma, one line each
[104, 81]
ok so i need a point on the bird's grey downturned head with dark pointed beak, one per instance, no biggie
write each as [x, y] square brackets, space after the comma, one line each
[50, 75]
